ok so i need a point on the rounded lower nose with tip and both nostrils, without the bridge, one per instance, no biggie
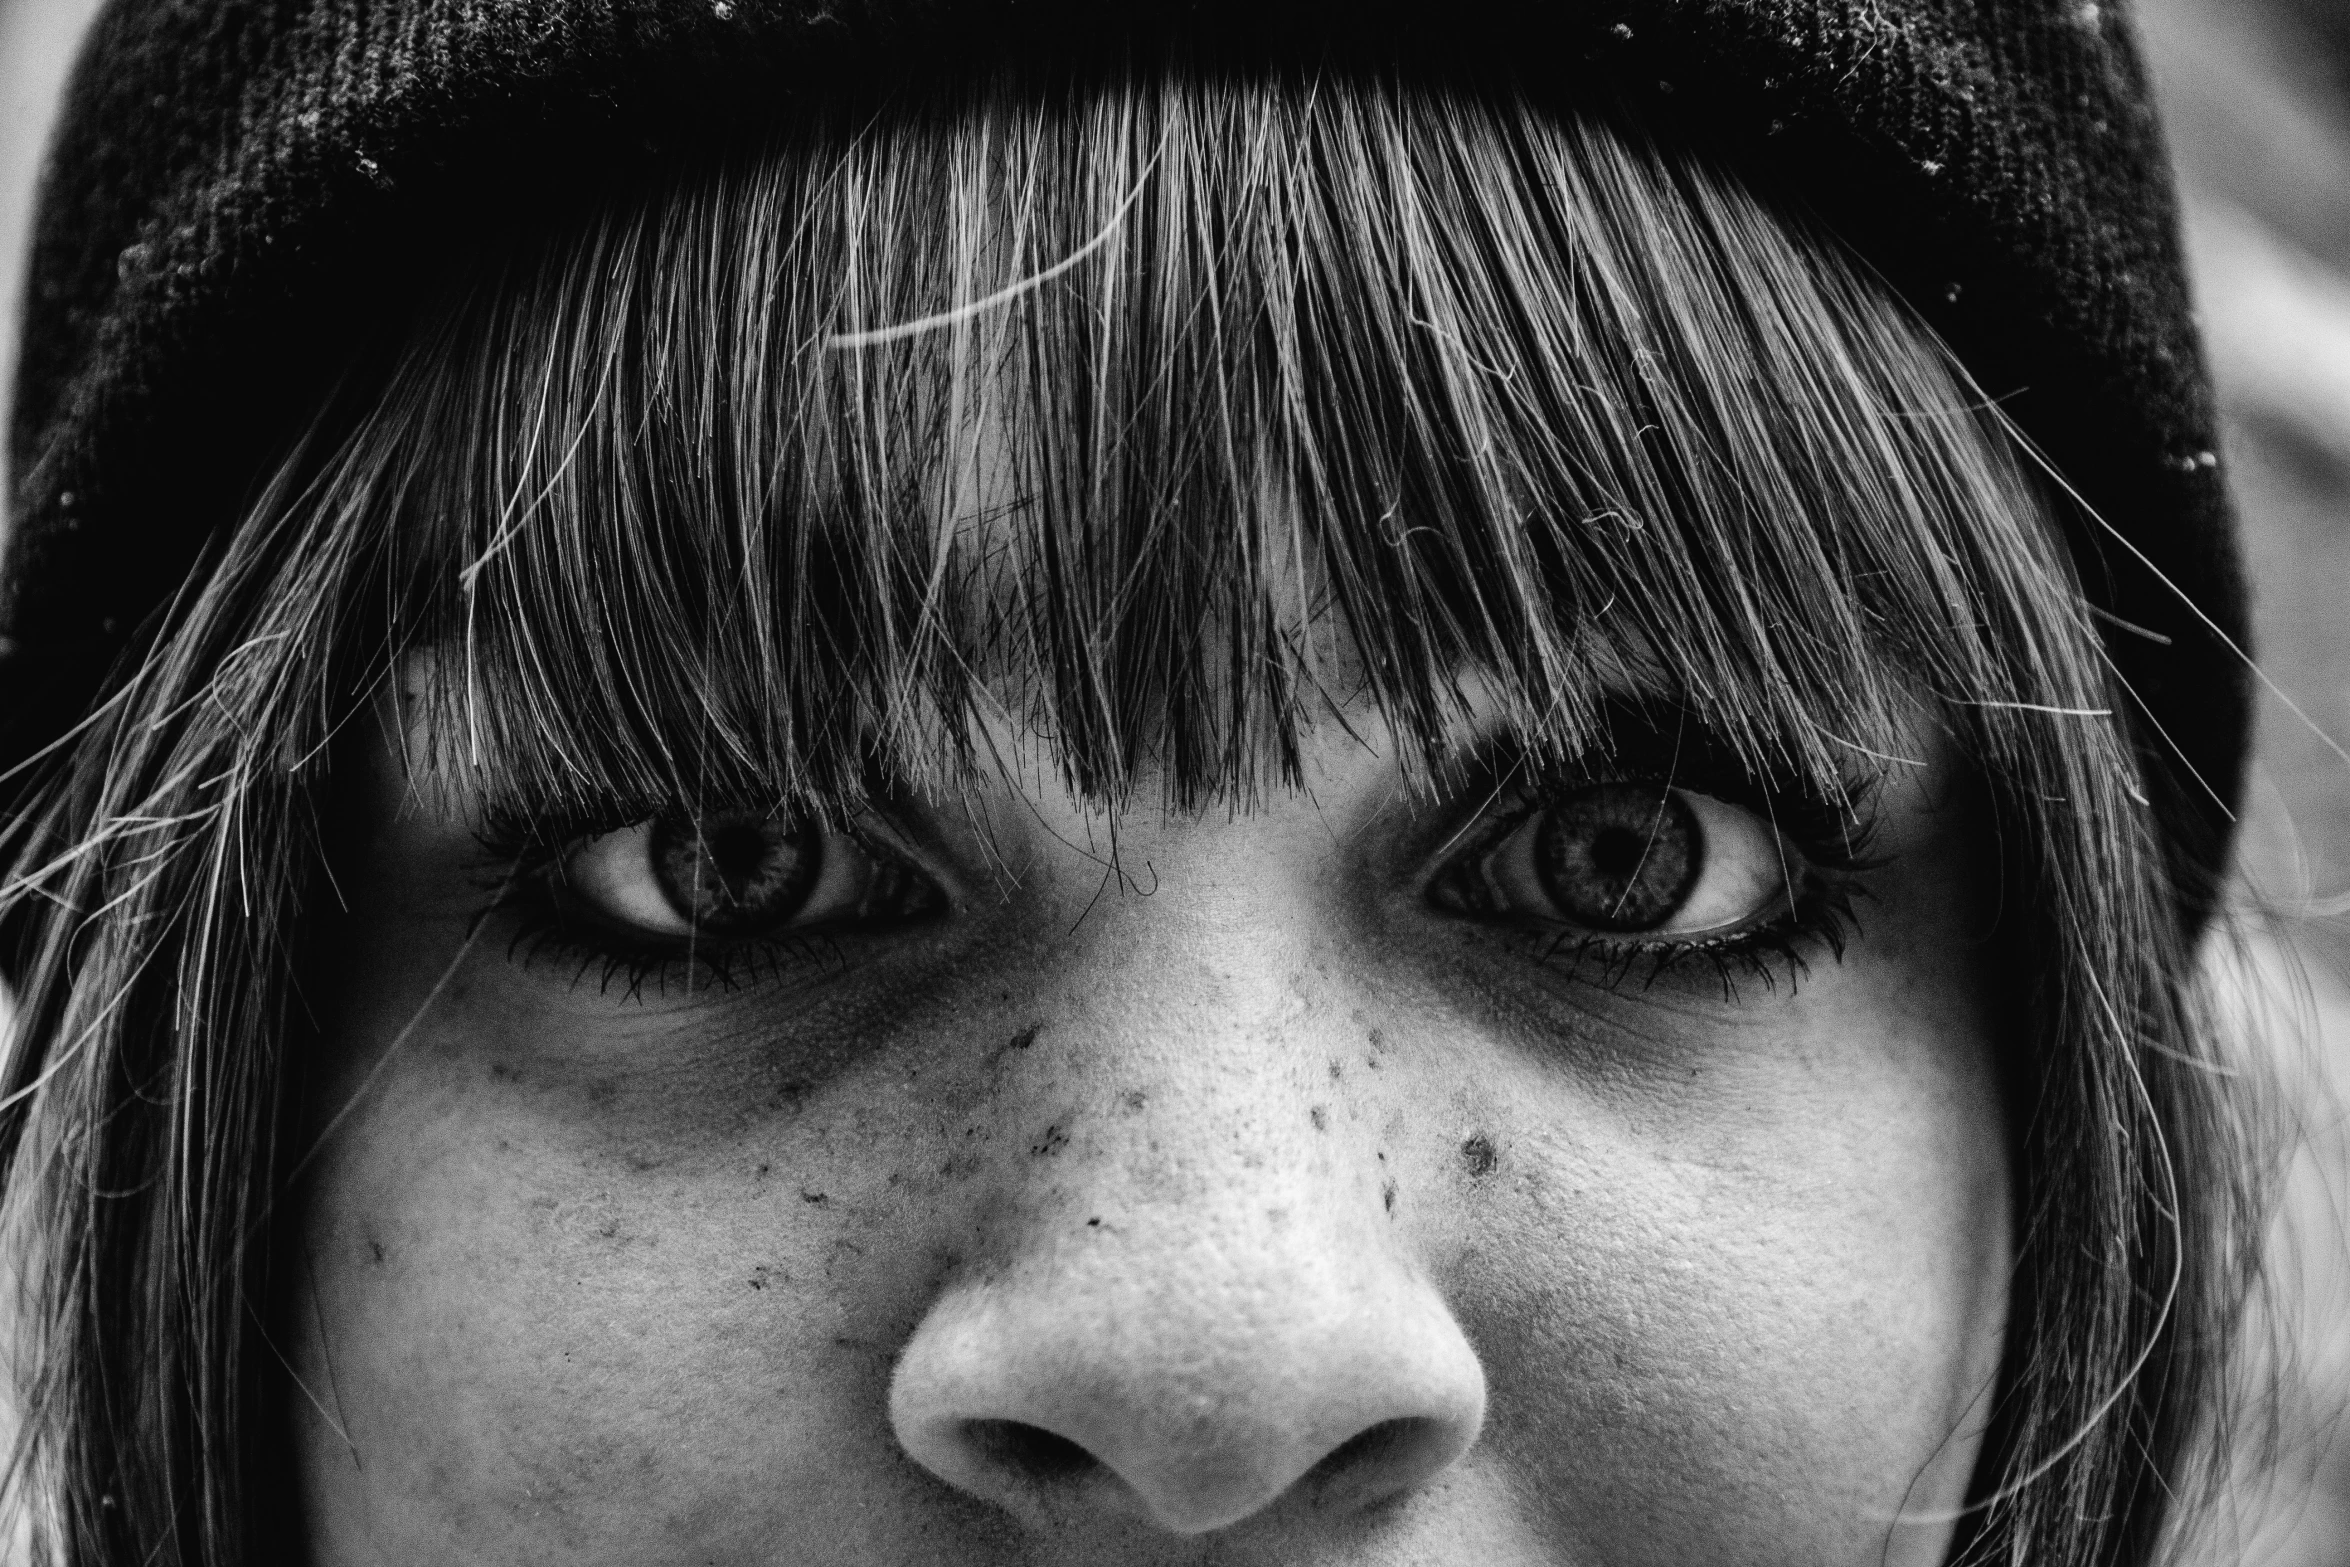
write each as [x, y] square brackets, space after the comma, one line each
[1193, 1385]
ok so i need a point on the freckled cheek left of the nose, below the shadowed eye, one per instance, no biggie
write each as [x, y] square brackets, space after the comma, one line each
[542, 1324]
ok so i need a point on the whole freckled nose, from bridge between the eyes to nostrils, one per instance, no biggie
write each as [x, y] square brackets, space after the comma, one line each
[1190, 1300]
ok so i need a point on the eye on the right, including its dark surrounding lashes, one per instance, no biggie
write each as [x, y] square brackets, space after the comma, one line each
[1639, 875]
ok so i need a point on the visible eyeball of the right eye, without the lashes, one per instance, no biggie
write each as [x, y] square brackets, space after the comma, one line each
[1630, 859]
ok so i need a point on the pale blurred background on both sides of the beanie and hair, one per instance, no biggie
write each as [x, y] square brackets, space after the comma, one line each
[2257, 97]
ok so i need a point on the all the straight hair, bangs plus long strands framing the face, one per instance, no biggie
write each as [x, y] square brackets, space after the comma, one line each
[685, 499]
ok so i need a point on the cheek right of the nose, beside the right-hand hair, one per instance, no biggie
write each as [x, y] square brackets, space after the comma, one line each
[1785, 1275]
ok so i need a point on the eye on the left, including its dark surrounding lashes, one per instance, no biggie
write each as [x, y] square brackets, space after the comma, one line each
[711, 899]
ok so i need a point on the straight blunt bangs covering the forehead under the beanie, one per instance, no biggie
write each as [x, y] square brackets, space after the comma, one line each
[1162, 419]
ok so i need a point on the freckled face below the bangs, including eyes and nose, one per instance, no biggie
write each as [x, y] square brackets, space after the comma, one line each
[1308, 1185]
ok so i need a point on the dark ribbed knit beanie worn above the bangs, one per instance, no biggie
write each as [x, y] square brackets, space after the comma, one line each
[236, 182]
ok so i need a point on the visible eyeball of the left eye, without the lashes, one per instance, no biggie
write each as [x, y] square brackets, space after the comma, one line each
[732, 875]
